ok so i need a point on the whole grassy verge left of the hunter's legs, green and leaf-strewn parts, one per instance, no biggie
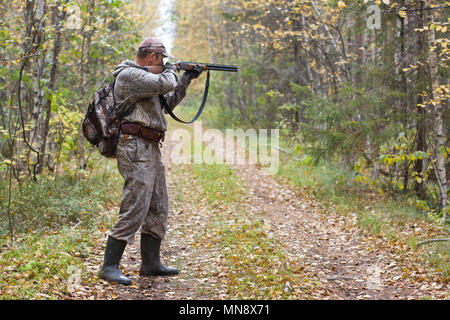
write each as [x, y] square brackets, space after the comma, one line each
[55, 224]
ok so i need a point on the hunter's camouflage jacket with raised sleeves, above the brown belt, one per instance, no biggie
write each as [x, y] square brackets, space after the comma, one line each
[134, 85]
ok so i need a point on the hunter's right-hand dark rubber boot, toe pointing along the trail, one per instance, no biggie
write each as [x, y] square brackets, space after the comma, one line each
[151, 264]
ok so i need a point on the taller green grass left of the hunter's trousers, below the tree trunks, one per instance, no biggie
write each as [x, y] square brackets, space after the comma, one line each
[53, 202]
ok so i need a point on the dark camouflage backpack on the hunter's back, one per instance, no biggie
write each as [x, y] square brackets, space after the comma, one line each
[101, 122]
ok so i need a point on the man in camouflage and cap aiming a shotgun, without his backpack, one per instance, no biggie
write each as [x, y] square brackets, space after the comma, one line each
[150, 89]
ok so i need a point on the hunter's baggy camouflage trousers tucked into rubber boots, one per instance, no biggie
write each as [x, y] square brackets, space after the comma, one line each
[145, 201]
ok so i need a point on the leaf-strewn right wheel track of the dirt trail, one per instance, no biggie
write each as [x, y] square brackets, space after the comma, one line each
[348, 264]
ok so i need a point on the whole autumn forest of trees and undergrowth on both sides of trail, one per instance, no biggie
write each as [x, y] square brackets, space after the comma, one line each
[358, 89]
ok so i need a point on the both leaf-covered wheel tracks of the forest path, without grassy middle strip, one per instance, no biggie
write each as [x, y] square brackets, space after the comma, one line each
[337, 260]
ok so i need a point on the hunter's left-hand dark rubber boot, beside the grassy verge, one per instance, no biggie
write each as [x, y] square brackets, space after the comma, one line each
[113, 253]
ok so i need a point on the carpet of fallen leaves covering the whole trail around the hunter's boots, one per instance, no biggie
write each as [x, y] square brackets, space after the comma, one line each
[265, 241]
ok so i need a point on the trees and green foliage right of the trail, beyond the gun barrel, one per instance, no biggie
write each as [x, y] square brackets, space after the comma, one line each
[345, 97]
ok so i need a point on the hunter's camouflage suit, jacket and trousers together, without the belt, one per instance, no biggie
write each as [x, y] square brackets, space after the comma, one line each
[145, 200]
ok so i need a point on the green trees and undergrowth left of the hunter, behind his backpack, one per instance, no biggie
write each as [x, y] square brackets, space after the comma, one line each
[63, 195]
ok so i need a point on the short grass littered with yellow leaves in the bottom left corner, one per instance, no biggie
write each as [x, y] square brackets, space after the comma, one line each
[40, 266]
